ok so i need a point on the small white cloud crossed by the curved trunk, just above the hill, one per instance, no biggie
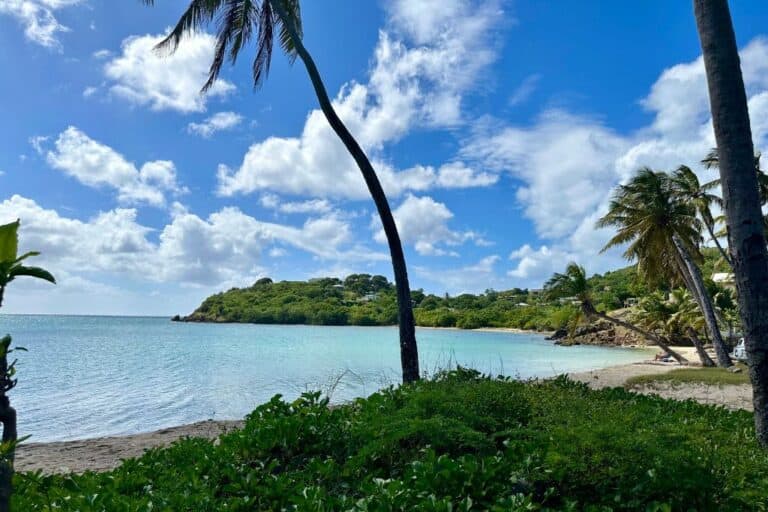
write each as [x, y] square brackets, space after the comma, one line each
[423, 222]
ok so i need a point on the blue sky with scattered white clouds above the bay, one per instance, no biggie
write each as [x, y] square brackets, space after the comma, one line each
[499, 129]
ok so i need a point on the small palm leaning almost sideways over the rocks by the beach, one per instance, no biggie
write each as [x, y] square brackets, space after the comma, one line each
[574, 283]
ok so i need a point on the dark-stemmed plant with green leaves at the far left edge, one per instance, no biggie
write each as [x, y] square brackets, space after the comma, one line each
[11, 267]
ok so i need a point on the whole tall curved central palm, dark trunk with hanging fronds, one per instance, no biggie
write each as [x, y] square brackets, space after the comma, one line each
[239, 22]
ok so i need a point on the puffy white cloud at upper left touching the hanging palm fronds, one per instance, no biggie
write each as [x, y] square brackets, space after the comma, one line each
[145, 77]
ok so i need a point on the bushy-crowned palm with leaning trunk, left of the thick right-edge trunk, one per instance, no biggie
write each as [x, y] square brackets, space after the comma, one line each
[663, 234]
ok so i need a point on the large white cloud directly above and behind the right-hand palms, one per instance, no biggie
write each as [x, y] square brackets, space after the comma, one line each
[569, 164]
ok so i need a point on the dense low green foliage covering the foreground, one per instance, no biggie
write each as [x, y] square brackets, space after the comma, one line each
[458, 442]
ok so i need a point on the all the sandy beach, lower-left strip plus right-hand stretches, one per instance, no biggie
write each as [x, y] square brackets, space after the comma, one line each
[105, 453]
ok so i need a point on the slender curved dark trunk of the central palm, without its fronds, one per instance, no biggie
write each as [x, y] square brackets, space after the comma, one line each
[409, 355]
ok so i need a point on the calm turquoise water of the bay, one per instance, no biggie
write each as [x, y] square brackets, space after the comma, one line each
[95, 376]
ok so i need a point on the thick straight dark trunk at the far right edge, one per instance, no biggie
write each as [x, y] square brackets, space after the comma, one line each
[744, 219]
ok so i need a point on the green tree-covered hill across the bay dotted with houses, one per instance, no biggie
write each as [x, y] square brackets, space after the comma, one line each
[363, 299]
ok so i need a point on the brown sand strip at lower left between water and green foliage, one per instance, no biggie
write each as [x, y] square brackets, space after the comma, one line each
[103, 453]
